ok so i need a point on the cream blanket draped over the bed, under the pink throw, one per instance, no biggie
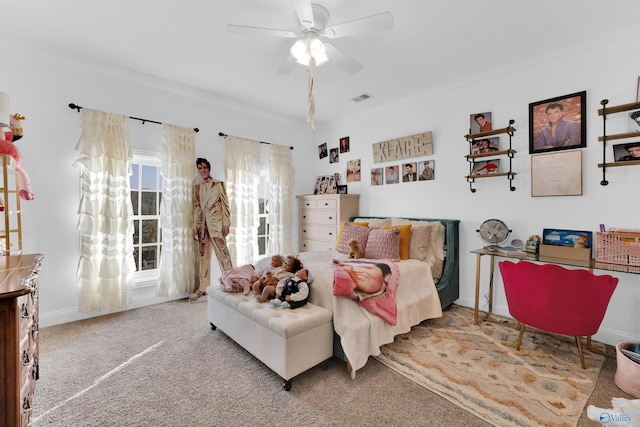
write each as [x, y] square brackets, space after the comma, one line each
[361, 332]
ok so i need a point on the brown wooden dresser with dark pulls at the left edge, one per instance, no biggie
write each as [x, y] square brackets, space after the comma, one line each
[19, 368]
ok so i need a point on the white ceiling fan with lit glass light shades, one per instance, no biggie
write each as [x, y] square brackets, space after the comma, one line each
[310, 49]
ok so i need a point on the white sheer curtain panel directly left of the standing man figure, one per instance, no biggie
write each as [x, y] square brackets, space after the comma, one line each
[178, 257]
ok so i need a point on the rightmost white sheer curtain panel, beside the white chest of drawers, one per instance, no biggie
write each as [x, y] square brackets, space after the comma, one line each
[280, 200]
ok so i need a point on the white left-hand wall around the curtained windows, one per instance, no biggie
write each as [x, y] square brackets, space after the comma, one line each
[41, 84]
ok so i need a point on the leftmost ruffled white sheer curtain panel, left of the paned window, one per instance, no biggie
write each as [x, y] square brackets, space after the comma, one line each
[106, 264]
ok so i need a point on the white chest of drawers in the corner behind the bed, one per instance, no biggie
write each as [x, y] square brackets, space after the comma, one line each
[320, 218]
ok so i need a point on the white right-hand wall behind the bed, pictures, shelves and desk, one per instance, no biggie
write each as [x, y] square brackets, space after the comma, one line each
[607, 67]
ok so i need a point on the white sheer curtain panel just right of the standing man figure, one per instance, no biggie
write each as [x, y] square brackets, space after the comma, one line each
[243, 180]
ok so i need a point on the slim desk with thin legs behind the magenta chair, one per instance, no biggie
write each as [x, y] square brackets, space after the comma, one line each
[590, 264]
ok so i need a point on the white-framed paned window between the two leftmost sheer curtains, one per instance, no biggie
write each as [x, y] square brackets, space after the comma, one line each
[146, 194]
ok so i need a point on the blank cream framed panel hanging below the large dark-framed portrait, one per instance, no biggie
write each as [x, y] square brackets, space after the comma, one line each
[556, 174]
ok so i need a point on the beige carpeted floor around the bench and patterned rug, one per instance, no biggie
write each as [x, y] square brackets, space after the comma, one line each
[162, 365]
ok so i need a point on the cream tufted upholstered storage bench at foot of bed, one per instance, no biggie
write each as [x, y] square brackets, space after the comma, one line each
[287, 341]
